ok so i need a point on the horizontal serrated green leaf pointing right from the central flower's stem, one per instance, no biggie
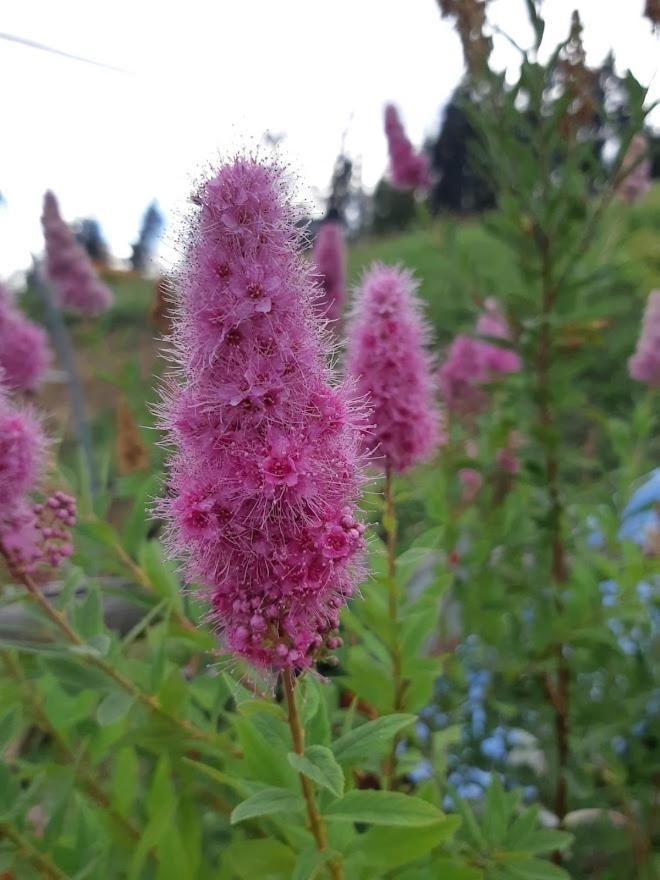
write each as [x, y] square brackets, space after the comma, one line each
[383, 808]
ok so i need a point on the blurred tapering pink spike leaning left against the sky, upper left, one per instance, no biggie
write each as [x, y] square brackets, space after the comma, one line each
[69, 268]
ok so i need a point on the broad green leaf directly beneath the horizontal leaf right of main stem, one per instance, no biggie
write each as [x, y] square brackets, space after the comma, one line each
[393, 847]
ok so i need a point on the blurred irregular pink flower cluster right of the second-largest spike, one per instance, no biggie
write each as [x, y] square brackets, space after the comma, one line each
[471, 363]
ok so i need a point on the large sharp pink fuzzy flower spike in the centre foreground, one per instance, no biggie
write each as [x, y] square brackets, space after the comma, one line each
[264, 477]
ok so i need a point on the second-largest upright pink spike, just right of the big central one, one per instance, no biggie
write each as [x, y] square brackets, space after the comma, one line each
[388, 358]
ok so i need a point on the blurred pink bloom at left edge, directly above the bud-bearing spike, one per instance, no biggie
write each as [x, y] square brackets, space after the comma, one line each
[24, 352]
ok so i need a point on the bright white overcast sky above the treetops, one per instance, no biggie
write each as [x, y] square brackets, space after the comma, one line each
[208, 75]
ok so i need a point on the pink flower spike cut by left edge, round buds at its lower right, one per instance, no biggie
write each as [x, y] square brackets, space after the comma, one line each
[31, 535]
